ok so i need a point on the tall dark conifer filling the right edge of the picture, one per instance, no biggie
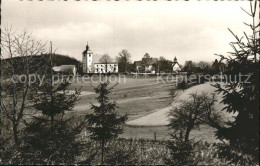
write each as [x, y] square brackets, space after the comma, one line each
[242, 96]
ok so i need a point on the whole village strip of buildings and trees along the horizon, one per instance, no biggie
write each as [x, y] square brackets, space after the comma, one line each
[148, 65]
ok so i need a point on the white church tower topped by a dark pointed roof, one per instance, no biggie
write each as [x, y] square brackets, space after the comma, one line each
[87, 59]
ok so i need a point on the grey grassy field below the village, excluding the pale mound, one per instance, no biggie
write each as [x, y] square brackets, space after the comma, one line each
[138, 97]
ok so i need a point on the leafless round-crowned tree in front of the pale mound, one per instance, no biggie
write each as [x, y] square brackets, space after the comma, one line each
[199, 109]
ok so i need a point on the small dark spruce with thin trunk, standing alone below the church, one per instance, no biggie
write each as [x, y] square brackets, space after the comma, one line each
[104, 124]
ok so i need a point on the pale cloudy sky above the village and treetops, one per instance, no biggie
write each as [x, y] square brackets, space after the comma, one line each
[191, 30]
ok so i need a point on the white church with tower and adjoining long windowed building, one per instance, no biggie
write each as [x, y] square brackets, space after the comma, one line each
[89, 66]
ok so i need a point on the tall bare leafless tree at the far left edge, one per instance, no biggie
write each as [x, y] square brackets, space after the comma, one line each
[18, 61]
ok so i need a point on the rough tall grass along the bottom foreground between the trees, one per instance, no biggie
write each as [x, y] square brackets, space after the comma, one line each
[145, 152]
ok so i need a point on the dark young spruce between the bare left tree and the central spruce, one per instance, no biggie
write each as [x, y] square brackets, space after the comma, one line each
[51, 98]
